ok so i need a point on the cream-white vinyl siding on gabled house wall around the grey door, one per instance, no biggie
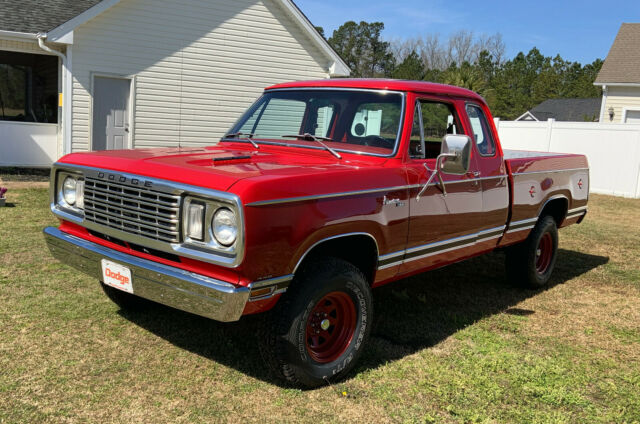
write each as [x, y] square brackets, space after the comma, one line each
[198, 64]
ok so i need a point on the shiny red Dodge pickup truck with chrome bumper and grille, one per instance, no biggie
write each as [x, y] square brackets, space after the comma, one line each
[320, 192]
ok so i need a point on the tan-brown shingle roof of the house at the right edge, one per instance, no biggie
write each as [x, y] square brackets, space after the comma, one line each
[623, 61]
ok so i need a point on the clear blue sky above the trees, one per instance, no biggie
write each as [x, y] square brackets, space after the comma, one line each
[578, 30]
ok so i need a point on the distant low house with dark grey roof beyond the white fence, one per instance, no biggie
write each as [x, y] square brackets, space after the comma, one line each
[574, 110]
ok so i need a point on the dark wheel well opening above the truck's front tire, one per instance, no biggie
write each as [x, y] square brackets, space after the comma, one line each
[360, 250]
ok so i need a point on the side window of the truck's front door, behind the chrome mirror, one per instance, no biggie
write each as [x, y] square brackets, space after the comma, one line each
[438, 120]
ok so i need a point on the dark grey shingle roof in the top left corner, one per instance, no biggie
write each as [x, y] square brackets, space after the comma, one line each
[33, 16]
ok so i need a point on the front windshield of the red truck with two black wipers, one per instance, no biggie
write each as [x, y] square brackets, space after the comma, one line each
[349, 121]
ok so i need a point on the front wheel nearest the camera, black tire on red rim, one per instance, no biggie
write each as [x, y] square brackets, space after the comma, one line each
[288, 343]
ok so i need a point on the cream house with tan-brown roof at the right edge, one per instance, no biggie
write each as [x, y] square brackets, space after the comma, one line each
[620, 78]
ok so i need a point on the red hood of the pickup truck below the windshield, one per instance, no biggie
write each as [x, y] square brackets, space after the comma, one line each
[217, 167]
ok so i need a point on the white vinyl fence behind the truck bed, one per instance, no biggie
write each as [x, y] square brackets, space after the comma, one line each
[613, 150]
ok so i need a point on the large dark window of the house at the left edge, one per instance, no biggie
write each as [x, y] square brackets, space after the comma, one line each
[28, 87]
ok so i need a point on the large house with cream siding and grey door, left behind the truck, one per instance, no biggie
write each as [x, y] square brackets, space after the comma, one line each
[79, 75]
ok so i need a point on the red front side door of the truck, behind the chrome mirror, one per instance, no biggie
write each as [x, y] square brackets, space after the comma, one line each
[442, 228]
